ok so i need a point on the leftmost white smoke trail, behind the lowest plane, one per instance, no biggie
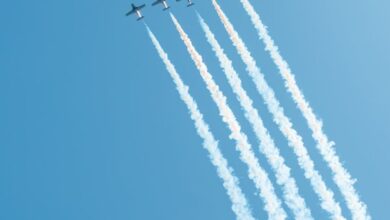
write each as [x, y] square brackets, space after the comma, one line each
[230, 182]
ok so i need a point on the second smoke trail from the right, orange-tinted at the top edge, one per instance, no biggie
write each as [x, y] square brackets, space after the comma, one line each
[294, 139]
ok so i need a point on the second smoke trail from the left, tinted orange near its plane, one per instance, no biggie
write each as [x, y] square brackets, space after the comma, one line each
[256, 173]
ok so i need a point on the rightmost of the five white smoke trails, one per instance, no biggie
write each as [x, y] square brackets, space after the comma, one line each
[340, 175]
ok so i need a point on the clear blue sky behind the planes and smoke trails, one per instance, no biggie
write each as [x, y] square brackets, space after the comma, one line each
[92, 127]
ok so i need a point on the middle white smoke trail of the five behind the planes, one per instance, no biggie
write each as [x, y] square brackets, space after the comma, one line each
[267, 146]
